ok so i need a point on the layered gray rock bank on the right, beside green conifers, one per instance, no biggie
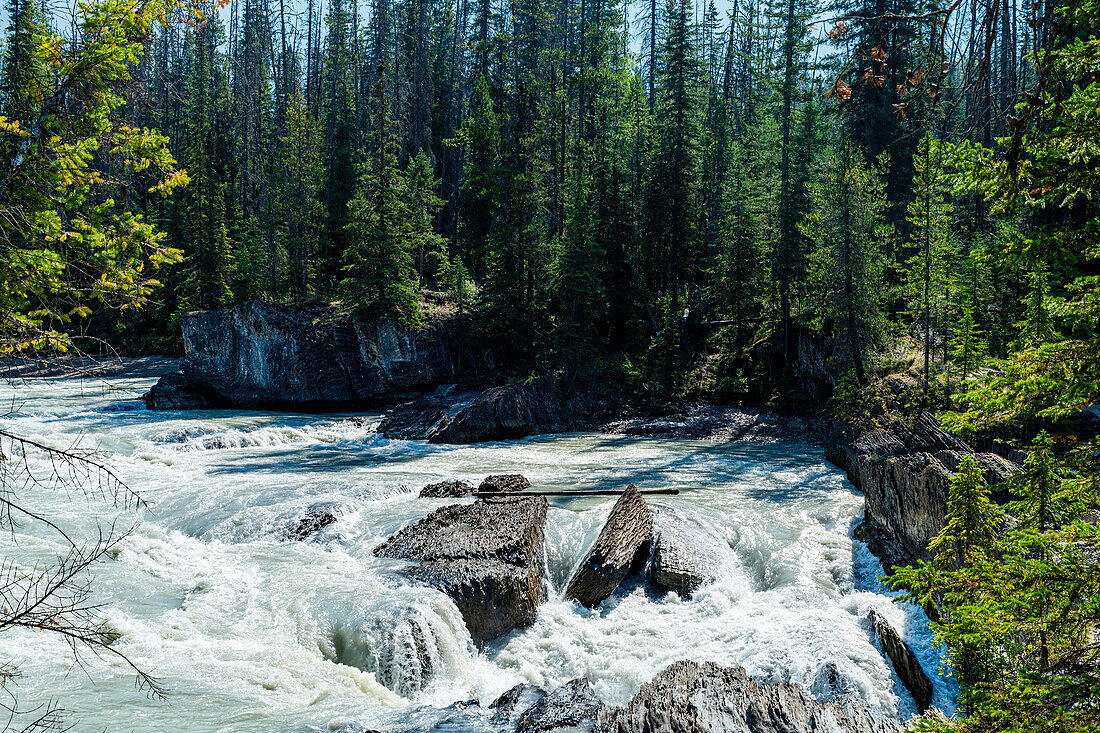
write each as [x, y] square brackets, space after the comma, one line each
[903, 461]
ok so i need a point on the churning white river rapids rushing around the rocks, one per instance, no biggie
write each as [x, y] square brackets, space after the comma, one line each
[249, 632]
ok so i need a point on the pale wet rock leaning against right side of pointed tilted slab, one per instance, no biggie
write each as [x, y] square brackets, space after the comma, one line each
[687, 554]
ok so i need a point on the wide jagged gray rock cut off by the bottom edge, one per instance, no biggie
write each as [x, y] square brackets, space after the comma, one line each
[694, 698]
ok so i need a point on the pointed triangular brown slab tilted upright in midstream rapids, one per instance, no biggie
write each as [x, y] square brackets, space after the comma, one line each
[623, 546]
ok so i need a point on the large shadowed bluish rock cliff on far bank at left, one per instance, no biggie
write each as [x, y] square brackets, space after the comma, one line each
[263, 355]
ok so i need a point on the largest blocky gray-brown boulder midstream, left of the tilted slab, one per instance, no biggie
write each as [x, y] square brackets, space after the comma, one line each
[487, 556]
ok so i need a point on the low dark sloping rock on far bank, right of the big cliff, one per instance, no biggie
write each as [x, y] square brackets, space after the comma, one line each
[544, 404]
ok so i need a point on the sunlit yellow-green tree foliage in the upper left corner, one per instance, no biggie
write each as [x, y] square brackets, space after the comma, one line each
[71, 239]
